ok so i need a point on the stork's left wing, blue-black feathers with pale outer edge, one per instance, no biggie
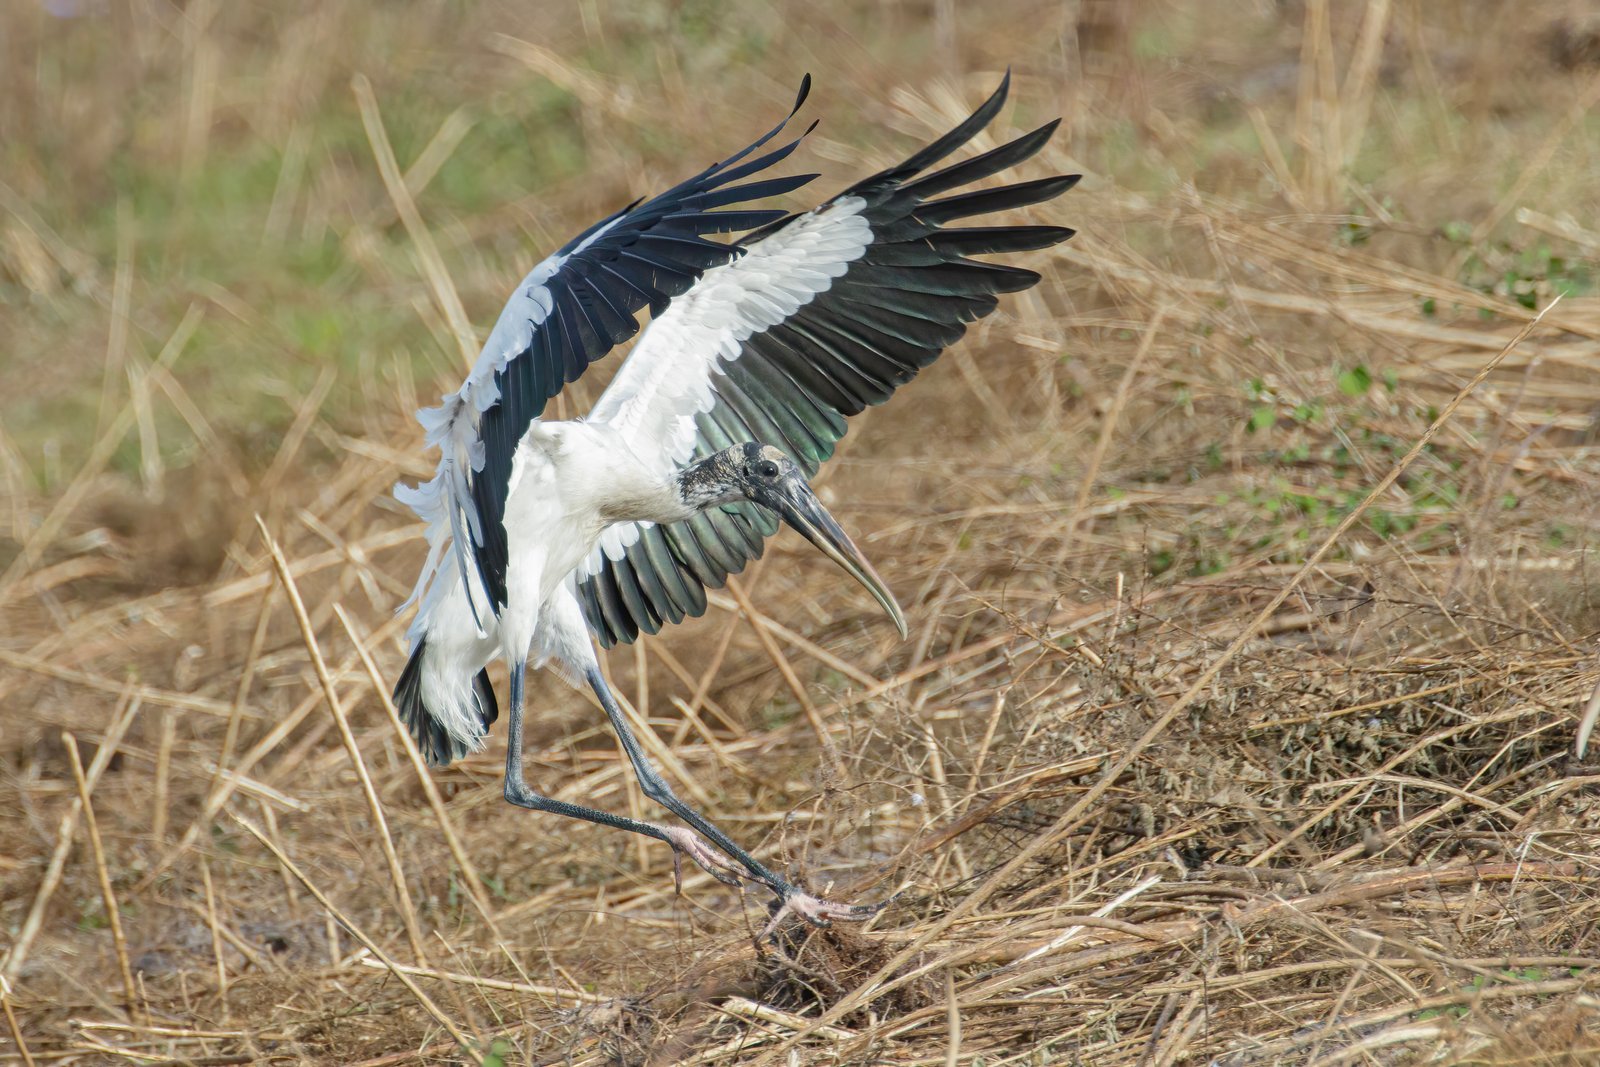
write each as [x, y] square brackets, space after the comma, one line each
[569, 313]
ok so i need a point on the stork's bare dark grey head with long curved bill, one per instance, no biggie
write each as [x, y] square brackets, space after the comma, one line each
[769, 478]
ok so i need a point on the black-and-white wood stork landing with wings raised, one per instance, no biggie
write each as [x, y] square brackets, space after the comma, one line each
[546, 533]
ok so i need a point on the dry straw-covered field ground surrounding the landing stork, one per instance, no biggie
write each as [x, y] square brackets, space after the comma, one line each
[1247, 557]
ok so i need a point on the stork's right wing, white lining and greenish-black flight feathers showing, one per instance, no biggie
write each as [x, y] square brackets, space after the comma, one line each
[825, 314]
